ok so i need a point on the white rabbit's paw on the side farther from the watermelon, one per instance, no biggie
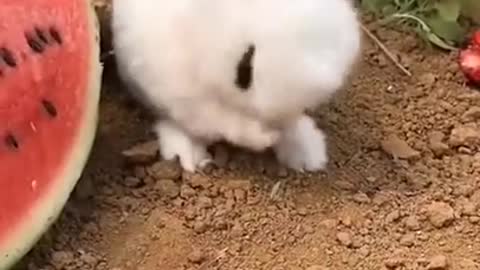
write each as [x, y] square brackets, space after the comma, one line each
[302, 146]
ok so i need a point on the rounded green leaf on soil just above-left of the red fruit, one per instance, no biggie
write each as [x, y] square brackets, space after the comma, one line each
[450, 31]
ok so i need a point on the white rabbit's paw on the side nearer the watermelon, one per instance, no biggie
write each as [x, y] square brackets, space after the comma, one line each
[175, 142]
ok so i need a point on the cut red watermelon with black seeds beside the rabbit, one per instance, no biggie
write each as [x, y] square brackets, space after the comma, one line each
[50, 77]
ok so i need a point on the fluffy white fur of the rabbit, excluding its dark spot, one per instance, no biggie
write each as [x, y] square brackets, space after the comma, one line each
[182, 55]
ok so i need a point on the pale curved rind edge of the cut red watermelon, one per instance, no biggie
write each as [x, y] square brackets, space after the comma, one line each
[49, 207]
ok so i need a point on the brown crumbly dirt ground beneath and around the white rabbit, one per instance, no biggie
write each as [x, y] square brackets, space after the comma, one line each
[402, 189]
